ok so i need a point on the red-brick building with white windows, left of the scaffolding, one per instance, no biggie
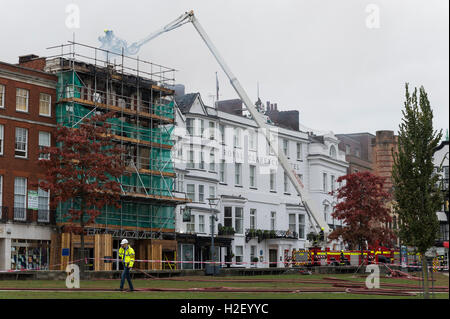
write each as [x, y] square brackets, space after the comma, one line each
[27, 122]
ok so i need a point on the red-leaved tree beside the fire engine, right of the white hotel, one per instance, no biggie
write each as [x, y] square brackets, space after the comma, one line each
[362, 208]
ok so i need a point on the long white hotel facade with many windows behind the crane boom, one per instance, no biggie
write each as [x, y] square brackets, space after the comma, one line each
[254, 192]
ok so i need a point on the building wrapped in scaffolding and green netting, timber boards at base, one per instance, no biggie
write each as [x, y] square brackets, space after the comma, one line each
[93, 81]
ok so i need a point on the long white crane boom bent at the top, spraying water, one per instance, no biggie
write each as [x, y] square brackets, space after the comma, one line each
[309, 205]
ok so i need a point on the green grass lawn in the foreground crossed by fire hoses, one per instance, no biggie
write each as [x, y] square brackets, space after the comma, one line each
[441, 280]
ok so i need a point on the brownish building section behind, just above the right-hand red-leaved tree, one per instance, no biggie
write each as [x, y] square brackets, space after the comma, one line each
[358, 151]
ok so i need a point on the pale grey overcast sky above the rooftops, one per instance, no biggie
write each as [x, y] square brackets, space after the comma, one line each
[342, 64]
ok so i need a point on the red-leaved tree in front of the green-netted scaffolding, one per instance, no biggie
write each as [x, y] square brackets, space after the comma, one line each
[83, 168]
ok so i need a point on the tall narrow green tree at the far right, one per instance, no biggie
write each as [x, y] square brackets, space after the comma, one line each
[416, 192]
